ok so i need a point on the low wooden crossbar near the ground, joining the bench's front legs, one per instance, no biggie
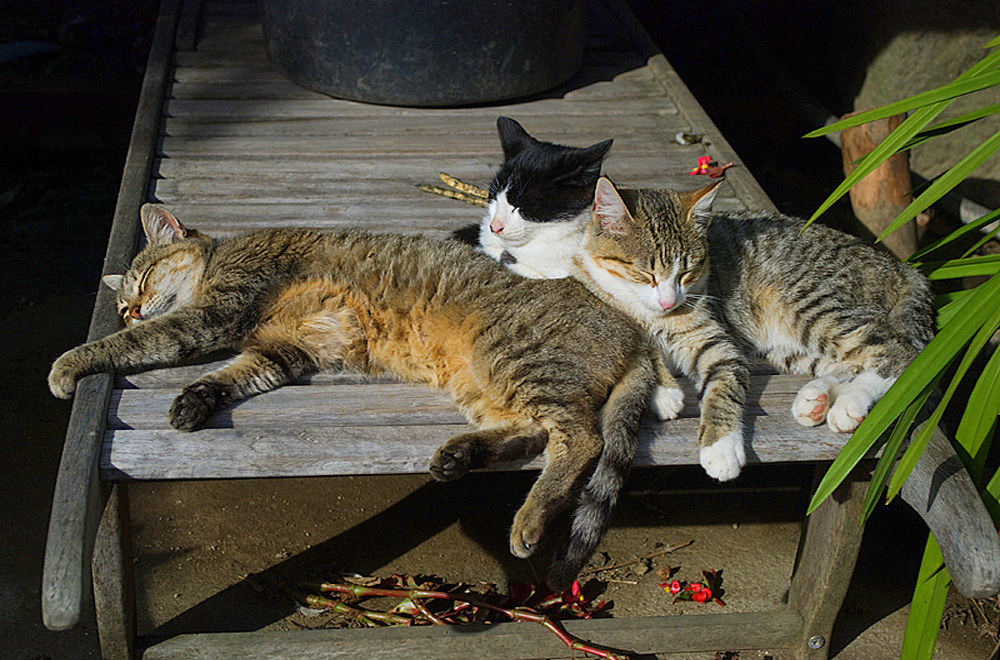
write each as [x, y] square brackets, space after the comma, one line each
[503, 641]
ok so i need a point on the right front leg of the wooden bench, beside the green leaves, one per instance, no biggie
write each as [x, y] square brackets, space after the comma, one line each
[825, 563]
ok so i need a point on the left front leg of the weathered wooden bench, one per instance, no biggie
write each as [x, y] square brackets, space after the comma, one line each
[114, 588]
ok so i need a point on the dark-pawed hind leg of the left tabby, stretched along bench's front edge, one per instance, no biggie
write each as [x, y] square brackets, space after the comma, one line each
[484, 447]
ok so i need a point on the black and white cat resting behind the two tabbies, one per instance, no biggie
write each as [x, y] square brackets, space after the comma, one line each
[540, 201]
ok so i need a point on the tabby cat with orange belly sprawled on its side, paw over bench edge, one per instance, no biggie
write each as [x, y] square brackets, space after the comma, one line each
[534, 364]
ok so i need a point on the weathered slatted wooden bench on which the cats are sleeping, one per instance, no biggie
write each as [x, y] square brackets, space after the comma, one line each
[228, 144]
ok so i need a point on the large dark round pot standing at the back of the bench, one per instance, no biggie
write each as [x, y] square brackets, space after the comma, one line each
[425, 52]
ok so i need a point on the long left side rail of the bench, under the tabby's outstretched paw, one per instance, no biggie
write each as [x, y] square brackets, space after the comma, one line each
[77, 502]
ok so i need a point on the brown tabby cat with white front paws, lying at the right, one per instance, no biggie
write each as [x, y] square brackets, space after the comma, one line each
[716, 288]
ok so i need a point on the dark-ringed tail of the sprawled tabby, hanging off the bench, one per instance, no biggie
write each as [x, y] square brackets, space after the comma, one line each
[620, 418]
